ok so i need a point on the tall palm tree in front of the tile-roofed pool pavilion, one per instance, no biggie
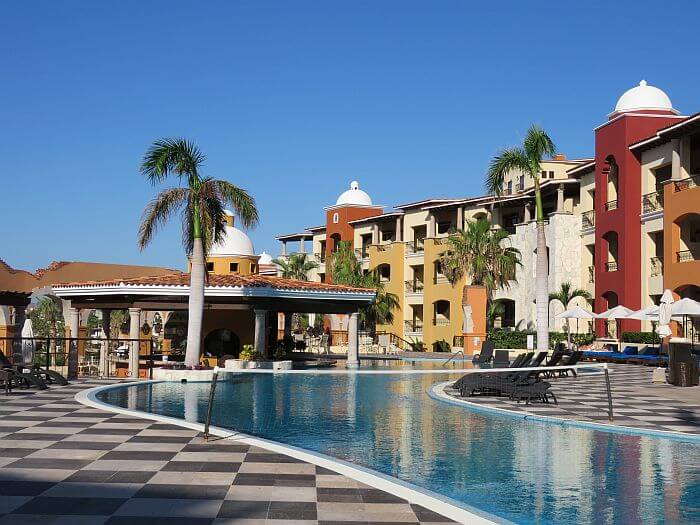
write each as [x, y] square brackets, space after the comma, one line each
[202, 201]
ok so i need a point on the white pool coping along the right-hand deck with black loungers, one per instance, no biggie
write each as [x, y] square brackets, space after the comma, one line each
[437, 392]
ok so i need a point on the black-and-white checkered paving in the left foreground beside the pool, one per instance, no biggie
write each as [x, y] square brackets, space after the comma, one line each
[67, 464]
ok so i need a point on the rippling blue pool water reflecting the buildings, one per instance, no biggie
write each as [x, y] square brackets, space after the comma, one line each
[522, 471]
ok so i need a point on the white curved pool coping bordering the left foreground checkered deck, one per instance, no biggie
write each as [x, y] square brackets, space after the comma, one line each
[433, 501]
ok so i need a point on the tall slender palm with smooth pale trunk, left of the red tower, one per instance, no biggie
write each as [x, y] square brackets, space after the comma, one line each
[527, 159]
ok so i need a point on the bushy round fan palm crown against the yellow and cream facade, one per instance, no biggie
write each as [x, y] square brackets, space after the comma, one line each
[481, 253]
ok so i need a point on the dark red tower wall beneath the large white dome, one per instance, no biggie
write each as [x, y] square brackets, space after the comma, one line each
[614, 139]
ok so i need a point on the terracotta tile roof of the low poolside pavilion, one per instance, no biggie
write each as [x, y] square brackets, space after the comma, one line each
[223, 281]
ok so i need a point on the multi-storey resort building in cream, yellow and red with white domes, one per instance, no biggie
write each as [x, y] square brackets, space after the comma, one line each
[623, 224]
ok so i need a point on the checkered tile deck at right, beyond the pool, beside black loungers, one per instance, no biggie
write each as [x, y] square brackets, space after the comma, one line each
[636, 401]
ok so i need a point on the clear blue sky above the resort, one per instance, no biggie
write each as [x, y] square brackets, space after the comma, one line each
[292, 100]
